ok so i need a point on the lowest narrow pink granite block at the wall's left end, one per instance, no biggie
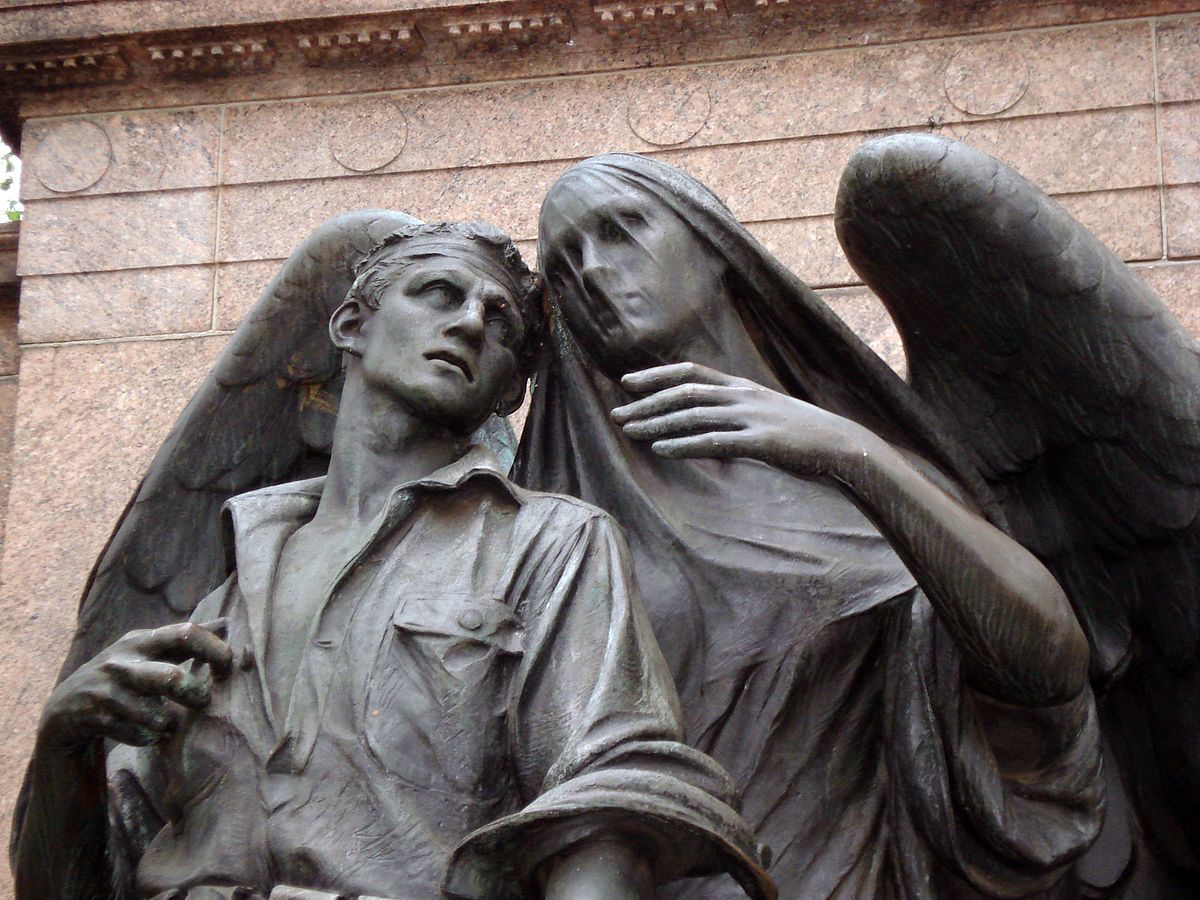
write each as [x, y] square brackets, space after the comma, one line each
[121, 304]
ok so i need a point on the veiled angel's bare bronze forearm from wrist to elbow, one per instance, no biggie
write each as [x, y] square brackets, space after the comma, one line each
[1015, 626]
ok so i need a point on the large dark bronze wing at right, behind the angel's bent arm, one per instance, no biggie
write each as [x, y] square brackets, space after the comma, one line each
[1079, 397]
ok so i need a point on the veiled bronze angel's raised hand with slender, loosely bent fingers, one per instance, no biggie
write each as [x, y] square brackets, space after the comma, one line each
[692, 411]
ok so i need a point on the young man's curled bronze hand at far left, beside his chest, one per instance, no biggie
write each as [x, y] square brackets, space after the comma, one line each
[135, 692]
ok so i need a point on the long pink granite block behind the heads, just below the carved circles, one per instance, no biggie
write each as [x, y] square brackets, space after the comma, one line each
[788, 179]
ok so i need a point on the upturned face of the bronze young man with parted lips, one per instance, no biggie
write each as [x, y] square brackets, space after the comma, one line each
[443, 341]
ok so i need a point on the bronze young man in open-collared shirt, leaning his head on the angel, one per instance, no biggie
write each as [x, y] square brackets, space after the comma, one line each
[418, 682]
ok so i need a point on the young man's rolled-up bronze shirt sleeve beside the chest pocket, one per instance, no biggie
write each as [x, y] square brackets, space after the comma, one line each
[597, 739]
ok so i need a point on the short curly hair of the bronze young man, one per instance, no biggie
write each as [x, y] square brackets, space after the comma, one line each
[380, 267]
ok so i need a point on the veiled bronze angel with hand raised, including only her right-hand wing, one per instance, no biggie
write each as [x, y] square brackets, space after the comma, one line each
[898, 688]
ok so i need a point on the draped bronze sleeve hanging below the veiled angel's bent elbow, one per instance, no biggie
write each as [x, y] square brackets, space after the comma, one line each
[1004, 797]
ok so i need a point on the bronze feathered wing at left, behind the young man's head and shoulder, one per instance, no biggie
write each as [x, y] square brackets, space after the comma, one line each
[263, 416]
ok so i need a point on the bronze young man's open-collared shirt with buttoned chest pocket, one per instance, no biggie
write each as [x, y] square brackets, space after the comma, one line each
[479, 692]
